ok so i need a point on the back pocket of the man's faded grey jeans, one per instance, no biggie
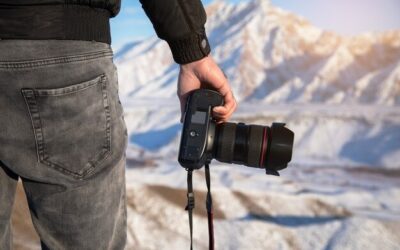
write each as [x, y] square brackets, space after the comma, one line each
[71, 125]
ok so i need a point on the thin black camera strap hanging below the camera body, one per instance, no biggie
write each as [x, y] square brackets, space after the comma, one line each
[190, 207]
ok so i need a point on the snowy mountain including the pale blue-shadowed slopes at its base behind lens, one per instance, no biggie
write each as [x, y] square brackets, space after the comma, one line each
[340, 95]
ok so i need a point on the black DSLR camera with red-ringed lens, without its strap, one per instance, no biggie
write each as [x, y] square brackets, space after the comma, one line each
[257, 146]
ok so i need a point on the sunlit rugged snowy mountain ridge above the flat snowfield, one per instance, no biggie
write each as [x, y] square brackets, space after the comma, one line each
[276, 57]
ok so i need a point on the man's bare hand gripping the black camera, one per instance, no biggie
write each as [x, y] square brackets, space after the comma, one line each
[205, 73]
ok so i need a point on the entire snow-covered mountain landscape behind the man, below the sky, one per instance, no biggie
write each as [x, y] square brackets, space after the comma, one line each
[340, 96]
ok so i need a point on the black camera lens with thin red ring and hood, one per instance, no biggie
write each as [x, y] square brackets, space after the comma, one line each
[254, 145]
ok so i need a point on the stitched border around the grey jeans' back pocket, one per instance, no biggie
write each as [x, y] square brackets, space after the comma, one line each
[30, 100]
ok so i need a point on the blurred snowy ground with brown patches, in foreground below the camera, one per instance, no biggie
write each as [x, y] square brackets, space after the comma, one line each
[305, 208]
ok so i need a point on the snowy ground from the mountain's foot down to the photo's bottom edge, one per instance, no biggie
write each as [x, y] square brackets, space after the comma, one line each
[341, 190]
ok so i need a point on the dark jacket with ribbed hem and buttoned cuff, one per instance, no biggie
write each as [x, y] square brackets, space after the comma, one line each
[179, 22]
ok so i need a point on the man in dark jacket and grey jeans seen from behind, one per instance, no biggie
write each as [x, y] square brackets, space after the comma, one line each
[61, 124]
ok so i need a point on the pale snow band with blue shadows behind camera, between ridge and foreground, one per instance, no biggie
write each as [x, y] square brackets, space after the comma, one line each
[325, 134]
